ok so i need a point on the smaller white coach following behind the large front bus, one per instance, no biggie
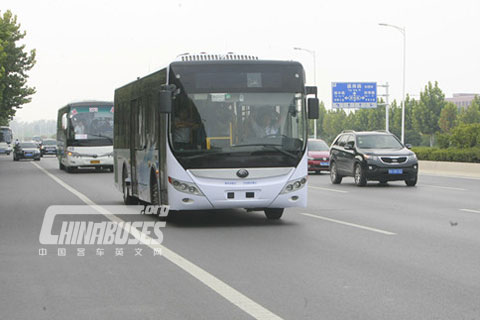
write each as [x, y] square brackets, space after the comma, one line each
[85, 135]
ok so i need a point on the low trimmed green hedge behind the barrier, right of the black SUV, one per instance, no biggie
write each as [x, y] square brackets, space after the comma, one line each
[450, 154]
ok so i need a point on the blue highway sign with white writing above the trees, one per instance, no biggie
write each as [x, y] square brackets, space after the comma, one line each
[354, 95]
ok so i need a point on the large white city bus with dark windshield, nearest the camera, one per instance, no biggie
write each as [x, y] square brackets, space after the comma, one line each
[215, 131]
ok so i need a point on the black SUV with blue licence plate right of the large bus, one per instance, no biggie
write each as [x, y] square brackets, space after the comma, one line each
[372, 155]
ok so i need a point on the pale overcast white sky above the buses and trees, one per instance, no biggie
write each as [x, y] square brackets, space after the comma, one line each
[86, 49]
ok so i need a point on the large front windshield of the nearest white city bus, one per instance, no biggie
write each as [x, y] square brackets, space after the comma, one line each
[243, 126]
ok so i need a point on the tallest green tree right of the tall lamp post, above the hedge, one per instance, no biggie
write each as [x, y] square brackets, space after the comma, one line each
[427, 114]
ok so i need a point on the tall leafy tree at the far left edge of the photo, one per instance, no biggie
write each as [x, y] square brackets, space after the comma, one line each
[15, 62]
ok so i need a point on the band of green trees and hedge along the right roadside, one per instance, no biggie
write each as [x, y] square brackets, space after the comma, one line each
[438, 129]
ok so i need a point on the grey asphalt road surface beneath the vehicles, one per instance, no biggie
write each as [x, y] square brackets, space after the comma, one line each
[378, 252]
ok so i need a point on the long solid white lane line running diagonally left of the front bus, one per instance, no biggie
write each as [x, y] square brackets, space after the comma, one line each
[235, 297]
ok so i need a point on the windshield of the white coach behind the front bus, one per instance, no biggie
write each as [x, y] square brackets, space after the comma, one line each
[91, 126]
